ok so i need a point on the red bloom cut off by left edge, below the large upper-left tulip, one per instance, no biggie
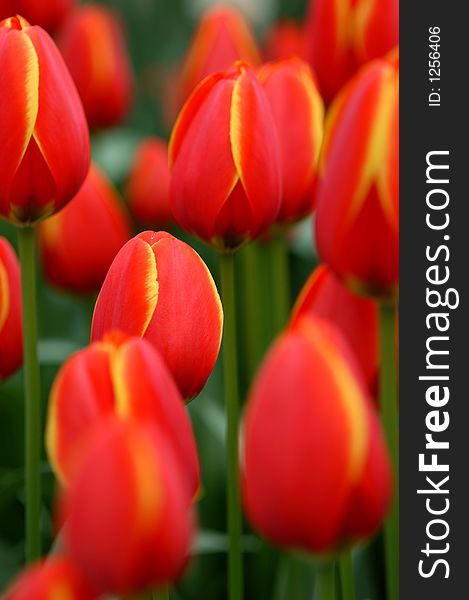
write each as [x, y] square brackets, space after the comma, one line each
[11, 328]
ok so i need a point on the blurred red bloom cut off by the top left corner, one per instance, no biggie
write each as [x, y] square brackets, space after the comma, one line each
[48, 14]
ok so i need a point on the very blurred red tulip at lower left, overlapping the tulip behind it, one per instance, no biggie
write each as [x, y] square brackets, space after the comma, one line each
[128, 515]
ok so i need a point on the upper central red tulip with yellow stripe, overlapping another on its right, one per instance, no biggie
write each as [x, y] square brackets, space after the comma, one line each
[225, 158]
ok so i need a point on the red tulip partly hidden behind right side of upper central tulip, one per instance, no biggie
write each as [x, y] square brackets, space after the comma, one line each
[298, 113]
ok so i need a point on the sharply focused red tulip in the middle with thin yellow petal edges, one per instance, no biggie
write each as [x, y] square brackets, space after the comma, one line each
[159, 288]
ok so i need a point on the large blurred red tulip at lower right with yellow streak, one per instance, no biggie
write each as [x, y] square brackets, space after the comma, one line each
[315, 468]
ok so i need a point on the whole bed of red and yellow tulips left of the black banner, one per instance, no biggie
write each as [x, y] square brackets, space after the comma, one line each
[199, 275]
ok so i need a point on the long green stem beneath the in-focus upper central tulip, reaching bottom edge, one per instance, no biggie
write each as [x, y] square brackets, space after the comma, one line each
[230, 365]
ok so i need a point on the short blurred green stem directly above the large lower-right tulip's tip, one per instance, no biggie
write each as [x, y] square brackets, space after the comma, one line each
[280, 279]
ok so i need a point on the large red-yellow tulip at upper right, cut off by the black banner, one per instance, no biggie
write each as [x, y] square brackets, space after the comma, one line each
[357, 218]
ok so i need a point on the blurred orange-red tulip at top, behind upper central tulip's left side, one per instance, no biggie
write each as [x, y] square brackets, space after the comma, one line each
[221, 38]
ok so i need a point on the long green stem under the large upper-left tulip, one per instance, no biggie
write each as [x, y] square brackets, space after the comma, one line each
[27, 249]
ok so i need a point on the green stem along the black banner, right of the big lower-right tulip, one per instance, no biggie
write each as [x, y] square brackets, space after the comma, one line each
[390, 418]
